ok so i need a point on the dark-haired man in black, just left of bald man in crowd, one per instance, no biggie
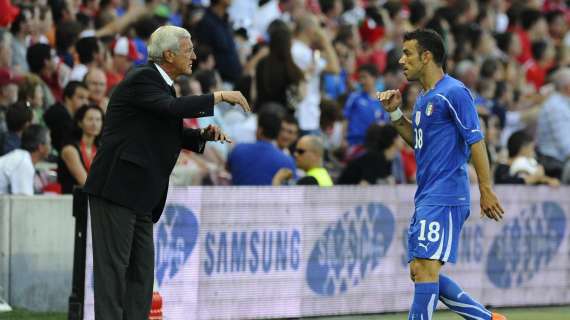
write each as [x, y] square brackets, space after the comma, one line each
[59, 117]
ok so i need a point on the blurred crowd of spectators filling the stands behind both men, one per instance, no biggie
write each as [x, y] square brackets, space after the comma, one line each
[309, 68]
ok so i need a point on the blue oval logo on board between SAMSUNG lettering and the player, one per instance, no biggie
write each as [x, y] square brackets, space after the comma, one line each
[350, 249]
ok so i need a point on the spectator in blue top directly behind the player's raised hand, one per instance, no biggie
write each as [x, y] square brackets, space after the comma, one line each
[362, 108]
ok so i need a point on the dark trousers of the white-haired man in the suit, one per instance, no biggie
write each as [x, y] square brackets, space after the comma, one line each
[123, 261]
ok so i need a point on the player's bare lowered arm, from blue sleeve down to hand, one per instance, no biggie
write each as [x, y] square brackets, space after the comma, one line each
[490, 205]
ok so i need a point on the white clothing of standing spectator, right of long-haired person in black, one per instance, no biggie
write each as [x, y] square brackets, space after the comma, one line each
[308, 112]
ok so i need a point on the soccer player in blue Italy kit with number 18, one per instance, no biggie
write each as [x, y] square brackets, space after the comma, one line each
[445, 133]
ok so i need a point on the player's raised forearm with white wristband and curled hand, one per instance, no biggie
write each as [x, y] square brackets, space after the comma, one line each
[391, 101]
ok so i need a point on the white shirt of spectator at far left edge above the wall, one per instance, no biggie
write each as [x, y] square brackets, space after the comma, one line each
[17, 173]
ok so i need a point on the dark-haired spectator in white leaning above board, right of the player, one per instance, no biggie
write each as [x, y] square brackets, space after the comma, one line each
[521, 166]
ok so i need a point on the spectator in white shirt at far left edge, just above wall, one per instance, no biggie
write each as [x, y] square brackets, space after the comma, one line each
[17, 167]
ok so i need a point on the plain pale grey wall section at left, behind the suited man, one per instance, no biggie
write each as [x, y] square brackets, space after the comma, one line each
[36, 251]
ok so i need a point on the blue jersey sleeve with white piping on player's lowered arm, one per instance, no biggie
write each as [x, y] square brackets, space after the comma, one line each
[463, 112]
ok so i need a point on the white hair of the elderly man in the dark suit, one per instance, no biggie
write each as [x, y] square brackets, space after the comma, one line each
[165, 38]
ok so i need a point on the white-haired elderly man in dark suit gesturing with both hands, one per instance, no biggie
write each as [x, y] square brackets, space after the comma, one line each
[128, 180]
